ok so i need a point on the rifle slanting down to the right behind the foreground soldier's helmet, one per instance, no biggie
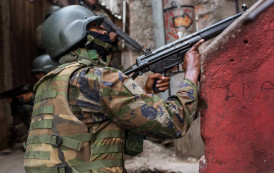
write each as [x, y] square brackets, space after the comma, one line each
[109, 26]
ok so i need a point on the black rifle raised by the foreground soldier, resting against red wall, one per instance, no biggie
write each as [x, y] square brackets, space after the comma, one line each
[171, 55]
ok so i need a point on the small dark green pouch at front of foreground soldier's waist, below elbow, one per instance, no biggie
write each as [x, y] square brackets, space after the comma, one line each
[134, 143]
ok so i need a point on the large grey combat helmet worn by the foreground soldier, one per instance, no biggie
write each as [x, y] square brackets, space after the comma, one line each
[65, 28]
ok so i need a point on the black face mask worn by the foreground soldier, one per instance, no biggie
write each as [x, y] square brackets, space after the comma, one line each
[103, 52]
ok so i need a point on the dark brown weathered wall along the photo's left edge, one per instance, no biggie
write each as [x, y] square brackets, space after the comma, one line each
[18, 22]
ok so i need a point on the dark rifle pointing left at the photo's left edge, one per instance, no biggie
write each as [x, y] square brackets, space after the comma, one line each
[16, 91]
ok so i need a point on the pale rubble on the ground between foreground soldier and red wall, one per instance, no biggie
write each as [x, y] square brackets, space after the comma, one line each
[156, 158]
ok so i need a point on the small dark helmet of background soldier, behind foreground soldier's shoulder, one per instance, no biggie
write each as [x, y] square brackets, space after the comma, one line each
[43, 63]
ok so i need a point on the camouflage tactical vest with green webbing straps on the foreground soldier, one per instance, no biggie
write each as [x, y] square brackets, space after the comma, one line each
[58, 141]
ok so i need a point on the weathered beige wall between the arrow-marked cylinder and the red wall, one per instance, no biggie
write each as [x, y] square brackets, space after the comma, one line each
[207, 12]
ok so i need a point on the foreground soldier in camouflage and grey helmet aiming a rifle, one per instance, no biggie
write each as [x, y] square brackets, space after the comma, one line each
[87, 116]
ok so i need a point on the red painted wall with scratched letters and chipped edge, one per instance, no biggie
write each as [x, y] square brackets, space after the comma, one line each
[238, 85]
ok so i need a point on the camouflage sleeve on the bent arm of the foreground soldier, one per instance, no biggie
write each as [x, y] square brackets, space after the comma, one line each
[128, 105]
